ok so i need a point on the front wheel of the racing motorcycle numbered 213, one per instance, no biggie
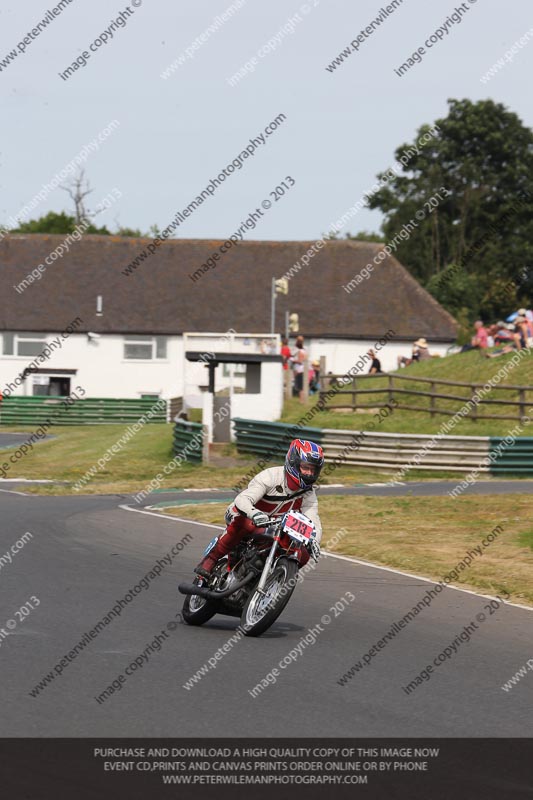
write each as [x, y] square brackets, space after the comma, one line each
[262, 610]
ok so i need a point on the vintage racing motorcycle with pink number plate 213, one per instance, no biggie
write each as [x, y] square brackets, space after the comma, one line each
[256, 580]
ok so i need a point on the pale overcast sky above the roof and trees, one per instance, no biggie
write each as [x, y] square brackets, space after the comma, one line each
[174, 135]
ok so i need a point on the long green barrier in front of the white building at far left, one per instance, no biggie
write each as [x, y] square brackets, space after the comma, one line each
[84, 411]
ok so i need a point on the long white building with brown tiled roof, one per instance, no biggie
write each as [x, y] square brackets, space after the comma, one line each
[130, 329]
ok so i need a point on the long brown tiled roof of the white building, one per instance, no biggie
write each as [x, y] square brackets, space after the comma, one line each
[160, 297]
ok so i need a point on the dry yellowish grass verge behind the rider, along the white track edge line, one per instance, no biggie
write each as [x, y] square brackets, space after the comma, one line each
[428, 536]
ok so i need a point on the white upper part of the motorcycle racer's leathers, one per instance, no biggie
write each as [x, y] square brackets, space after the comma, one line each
[268, 492]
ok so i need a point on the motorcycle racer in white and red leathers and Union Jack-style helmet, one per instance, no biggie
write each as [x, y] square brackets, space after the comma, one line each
[271, 493]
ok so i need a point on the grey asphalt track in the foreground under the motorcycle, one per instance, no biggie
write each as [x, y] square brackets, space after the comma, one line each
[87, 552]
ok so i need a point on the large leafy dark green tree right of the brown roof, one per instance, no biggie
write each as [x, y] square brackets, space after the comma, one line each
[465, 198]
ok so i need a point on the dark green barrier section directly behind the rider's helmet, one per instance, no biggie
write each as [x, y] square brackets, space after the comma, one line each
[270, 438]
